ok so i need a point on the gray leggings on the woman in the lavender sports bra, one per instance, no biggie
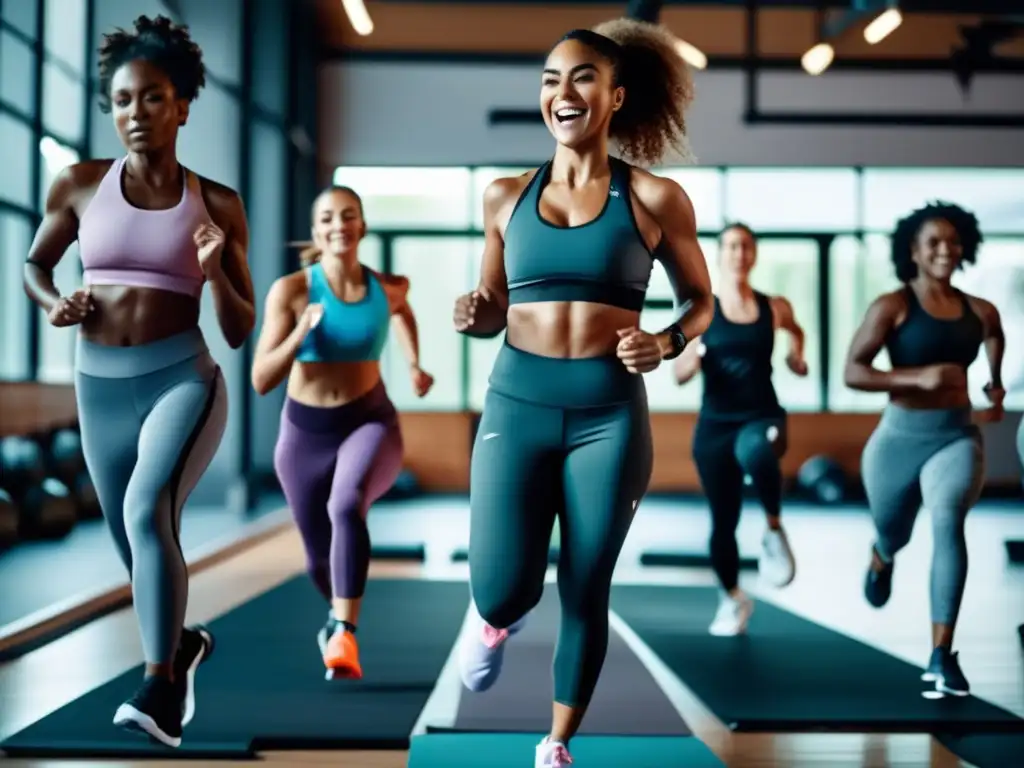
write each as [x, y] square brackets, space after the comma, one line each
[152, 419]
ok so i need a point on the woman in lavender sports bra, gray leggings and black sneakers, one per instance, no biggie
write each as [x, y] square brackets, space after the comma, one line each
[152, 402]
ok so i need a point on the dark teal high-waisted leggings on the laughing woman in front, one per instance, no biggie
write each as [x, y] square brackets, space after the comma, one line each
[536, 460]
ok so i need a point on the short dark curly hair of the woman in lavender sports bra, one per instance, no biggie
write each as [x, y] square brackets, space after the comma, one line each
[161, 42]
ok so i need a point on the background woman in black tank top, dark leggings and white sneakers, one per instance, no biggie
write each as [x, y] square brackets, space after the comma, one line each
[742, 428]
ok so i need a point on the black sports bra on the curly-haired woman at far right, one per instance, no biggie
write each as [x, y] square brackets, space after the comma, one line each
[925, 340]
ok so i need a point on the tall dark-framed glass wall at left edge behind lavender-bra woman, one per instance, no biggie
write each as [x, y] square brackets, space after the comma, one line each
[44, 118]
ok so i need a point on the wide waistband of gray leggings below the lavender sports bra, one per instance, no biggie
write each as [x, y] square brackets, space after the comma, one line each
[126, 363]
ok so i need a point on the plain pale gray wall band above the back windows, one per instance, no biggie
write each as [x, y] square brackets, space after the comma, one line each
[375, 113]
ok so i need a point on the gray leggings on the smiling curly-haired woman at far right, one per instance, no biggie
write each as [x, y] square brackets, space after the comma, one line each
[933, 459]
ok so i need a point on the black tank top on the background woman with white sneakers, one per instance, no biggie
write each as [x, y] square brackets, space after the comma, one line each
[737, 367]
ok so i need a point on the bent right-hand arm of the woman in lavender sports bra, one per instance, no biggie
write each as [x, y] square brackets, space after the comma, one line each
[224, 251]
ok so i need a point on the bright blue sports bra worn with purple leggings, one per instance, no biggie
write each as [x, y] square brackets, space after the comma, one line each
[348, 332]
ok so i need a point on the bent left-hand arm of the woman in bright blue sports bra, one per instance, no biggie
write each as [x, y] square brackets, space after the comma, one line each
[280, 338]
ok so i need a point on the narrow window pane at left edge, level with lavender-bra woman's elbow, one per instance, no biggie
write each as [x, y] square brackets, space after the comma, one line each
[16, 236]
